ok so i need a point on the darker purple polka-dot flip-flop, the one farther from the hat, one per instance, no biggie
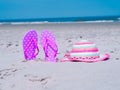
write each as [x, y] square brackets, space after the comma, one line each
[30, 45]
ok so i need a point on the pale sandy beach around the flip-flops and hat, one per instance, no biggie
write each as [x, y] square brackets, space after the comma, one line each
[15, 74]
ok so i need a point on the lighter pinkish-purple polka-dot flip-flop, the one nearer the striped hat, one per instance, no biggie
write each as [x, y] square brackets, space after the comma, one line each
[49, 45]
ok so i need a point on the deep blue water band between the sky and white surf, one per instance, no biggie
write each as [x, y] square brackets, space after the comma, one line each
[63, 19]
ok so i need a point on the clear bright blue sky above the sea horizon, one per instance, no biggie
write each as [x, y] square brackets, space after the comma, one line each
[12, 9]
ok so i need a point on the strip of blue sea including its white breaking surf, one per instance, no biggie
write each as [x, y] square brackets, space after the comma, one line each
[61, 20]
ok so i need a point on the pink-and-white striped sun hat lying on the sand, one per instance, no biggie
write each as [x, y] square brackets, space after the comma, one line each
[85, 51]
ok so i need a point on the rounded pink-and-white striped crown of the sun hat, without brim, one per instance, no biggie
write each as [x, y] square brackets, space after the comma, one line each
[84, 49]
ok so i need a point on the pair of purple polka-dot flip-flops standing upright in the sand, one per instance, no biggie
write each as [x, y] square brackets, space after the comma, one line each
[48, 42]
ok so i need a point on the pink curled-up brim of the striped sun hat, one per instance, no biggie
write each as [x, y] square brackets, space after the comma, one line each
[103, 57]
